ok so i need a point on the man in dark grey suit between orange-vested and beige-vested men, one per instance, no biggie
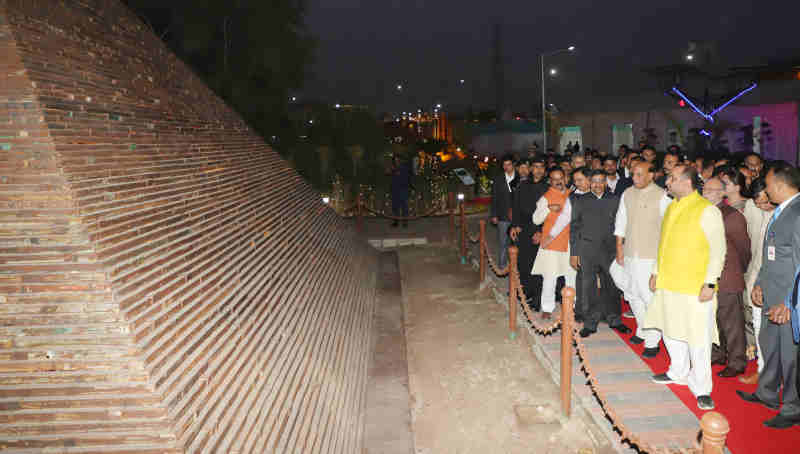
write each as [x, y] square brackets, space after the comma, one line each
[592, 248]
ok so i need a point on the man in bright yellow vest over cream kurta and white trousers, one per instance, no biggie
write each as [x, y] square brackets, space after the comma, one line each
[691, 255]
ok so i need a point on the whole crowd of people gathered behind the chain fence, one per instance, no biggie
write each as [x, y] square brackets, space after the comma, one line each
[690, 242]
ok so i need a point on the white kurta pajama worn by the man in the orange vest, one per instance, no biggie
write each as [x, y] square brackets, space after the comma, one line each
[552, 264]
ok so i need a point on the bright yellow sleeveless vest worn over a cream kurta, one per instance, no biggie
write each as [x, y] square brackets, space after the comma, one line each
[683, 252]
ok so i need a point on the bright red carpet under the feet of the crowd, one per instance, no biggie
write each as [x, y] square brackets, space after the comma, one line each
[748, 435]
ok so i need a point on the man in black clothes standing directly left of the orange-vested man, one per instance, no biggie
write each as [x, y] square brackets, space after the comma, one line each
[526, 194]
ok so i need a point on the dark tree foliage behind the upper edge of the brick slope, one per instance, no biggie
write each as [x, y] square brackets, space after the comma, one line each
[252, 53]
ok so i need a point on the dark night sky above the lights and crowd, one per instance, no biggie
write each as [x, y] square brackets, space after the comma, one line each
[366, 47]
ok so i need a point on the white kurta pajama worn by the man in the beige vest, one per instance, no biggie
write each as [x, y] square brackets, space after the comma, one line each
[637, 277]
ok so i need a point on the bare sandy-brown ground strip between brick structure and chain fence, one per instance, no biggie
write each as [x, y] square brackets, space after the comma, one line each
[473, 390]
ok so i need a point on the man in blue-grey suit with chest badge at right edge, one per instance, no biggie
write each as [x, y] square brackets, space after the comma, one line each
[775, 283]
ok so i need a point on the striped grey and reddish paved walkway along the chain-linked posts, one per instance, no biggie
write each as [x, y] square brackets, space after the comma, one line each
[651, 411]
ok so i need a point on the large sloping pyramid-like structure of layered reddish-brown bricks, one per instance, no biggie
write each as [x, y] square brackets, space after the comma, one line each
[169, 283]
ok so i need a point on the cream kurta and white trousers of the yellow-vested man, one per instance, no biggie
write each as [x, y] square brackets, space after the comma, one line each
[688, 325]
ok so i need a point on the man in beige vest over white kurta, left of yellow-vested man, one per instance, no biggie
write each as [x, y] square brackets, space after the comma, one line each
[638, 228]
